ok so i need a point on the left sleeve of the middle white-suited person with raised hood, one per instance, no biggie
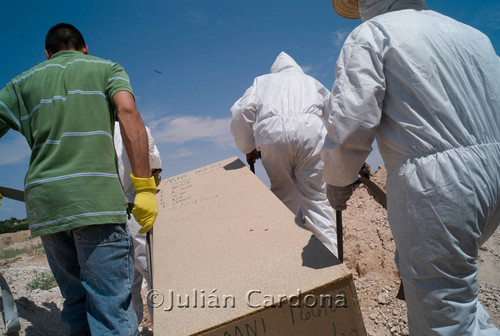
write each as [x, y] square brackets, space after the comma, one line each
[244, 115]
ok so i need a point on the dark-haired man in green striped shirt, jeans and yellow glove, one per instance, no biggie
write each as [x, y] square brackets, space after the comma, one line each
[66, 108]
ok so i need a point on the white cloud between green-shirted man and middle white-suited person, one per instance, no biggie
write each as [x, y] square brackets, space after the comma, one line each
[179, 130]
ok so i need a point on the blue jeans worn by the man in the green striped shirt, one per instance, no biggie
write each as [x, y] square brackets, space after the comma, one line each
[93, 266]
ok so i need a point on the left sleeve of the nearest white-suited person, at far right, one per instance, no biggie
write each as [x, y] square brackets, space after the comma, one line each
[355, 109]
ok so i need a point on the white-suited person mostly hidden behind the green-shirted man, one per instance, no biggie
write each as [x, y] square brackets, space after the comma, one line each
[138, 239]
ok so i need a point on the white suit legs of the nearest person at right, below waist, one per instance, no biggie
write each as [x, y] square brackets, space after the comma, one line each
[441, 211]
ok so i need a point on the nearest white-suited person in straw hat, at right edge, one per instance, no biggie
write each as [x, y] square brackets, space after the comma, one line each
[427, 88]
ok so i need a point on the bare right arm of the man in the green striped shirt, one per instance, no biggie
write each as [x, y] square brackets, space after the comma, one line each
[133, 132]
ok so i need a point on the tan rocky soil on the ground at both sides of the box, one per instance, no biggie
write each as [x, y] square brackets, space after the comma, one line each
[368, 253]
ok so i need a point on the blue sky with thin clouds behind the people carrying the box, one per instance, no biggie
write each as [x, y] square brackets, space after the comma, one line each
[189, 61]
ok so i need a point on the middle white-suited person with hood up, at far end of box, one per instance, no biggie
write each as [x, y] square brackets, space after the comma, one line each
[280, 115]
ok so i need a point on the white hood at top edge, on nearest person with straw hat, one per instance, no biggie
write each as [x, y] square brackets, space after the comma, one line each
[370, 8]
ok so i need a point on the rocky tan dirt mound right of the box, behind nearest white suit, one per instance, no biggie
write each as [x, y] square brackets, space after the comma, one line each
[369, 254]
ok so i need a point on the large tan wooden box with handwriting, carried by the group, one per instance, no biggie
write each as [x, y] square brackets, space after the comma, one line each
[230, 259]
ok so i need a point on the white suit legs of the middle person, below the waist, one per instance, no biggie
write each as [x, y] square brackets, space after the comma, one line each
[294, 167]
